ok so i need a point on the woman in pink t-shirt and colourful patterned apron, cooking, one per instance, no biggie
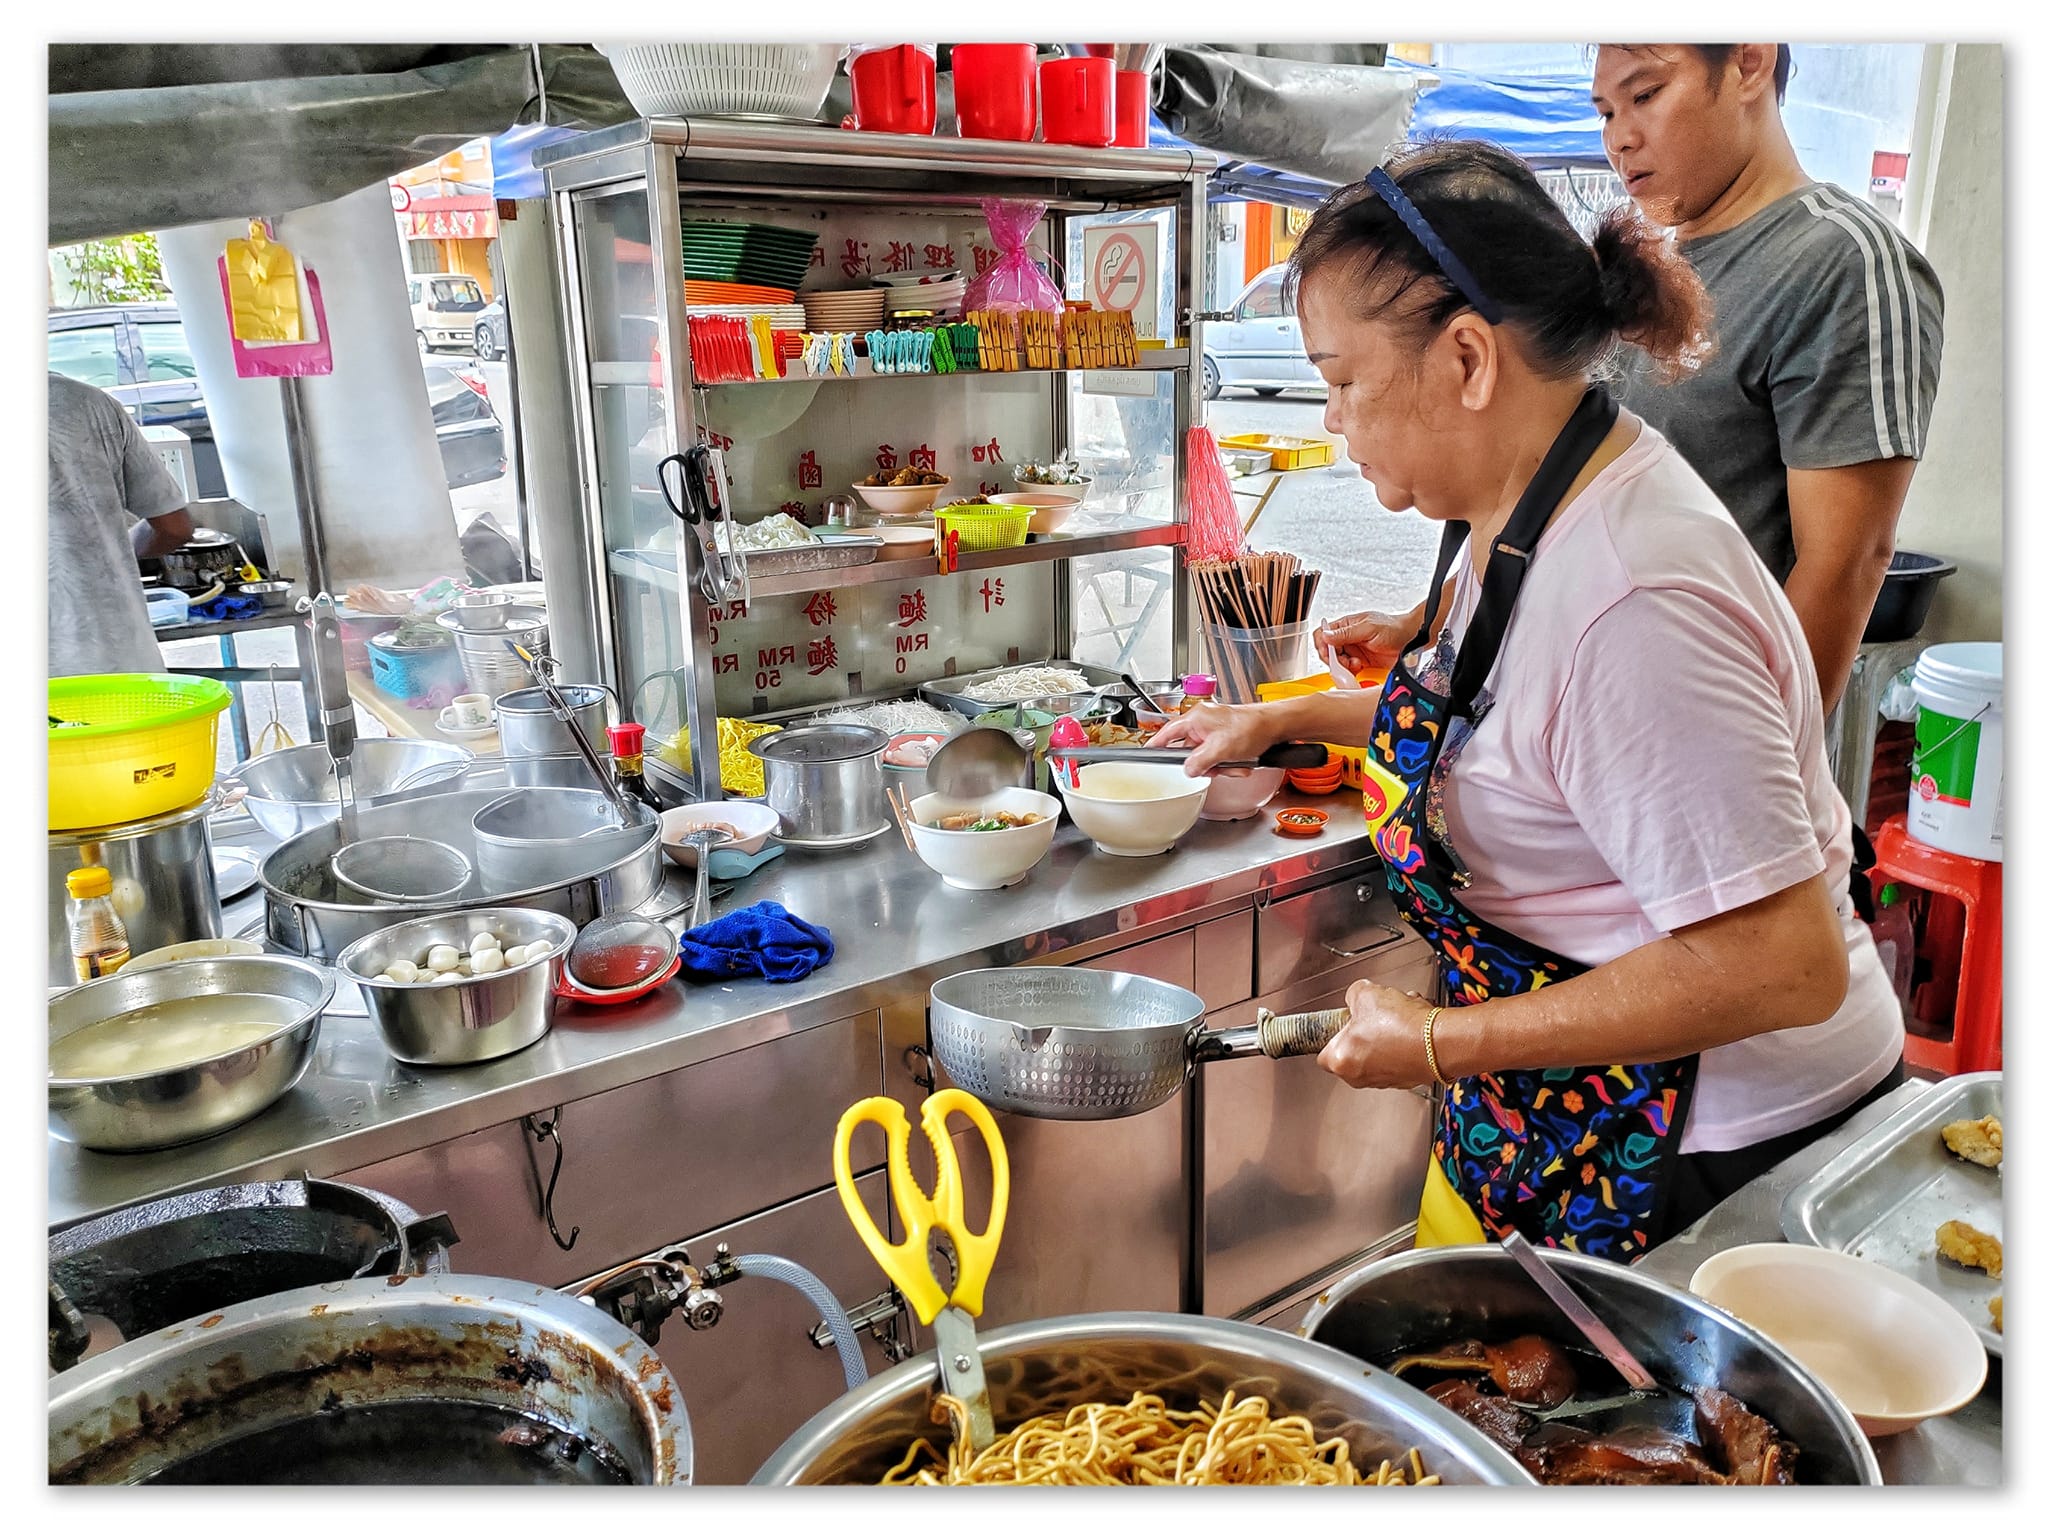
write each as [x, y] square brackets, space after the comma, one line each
[1596, 773]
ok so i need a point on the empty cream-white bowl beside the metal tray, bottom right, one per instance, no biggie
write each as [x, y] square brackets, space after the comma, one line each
[1887, 1347]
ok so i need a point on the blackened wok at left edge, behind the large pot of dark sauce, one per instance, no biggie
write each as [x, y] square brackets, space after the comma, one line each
[194, 1254]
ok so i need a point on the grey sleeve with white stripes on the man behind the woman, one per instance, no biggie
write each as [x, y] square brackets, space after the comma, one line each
[1857, 368]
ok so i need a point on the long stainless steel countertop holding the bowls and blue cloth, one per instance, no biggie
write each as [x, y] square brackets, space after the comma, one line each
[890, 919]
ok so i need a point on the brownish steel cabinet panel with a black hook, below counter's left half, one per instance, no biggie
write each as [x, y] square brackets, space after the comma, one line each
[673, 1154]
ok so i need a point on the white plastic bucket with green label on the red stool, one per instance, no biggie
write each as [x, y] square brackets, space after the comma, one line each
[1957, 800]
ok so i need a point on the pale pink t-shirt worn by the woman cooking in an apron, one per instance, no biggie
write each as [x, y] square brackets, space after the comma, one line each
[1656, 757]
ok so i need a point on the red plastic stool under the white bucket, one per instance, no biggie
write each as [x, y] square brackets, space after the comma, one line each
[1979, 886]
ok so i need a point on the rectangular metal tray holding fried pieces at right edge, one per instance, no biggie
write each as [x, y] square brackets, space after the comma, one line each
[1885, 1195]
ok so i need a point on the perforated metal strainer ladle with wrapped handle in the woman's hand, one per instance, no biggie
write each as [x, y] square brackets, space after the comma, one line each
[1060, 1043]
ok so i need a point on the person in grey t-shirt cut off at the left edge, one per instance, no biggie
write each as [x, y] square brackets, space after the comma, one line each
[103, 474]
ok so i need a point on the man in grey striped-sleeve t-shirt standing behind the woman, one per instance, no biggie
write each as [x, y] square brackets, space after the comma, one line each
[1814, 411]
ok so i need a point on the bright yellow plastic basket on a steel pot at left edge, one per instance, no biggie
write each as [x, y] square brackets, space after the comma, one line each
[144, 746]
